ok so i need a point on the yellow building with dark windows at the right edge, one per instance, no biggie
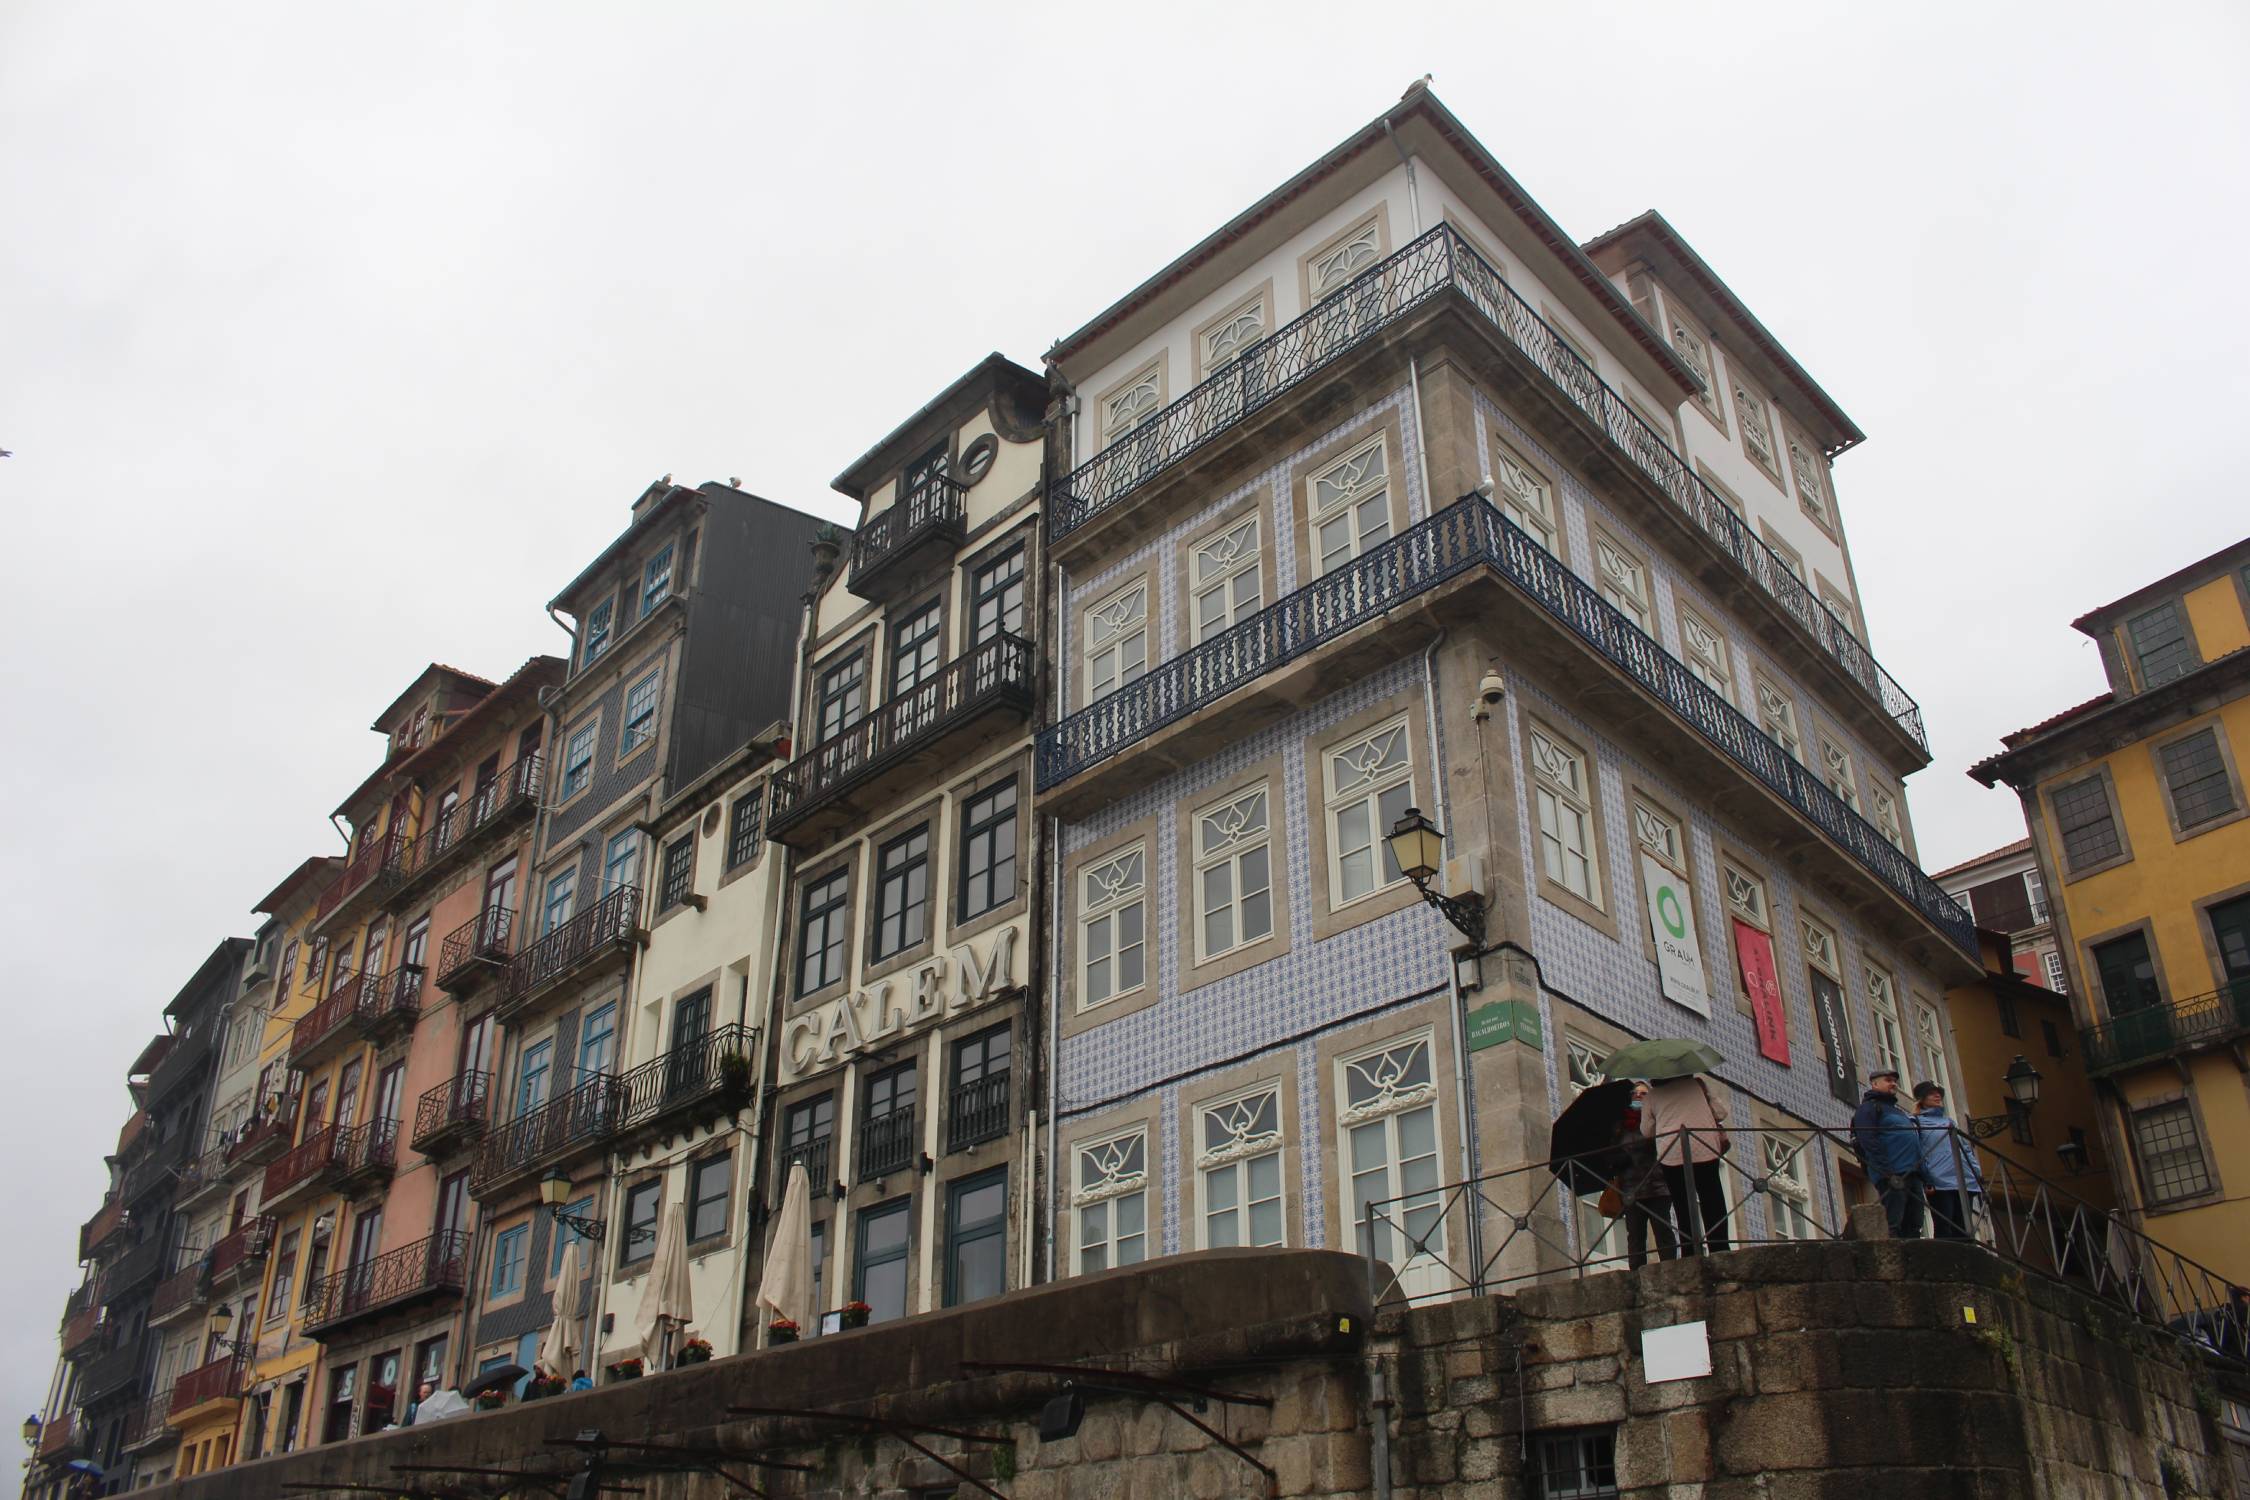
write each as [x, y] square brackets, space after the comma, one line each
[2139, 817]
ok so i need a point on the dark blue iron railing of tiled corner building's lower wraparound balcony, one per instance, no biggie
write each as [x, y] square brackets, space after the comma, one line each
[1459, 539]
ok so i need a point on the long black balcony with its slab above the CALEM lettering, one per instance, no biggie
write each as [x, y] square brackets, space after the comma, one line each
[901, 746]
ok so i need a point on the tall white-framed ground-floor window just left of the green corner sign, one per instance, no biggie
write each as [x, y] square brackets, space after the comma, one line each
[1389, 1117]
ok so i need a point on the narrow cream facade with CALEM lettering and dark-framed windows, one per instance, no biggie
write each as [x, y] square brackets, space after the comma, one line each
[899, 1020]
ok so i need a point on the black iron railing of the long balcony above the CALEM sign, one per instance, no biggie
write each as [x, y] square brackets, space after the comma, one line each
[989, 674]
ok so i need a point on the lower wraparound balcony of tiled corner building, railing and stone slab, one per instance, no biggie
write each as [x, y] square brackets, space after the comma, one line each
[1367, 608]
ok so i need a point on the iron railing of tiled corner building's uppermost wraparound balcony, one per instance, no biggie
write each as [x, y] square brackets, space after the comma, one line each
[1380, 298]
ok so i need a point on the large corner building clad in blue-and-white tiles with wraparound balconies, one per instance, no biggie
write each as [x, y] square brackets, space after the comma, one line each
[1392, 498]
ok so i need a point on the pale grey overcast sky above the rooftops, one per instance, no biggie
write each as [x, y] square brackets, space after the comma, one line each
[336, 338]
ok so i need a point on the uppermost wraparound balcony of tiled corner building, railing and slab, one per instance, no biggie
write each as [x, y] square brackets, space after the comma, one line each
[1182, 446]
